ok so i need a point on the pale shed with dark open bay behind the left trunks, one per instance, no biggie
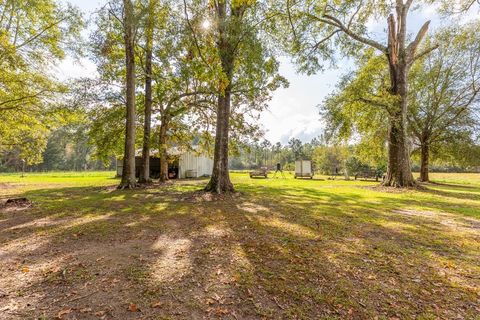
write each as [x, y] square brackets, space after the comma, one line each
[181, 164]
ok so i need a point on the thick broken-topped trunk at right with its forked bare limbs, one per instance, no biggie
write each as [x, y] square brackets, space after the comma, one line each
[400, 58]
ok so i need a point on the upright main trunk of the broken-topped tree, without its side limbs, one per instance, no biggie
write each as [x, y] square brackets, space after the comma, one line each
[399, 173]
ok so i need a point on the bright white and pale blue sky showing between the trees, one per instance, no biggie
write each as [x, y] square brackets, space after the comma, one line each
[293, 111]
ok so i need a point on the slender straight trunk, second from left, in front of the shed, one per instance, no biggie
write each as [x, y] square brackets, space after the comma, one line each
[145, 170]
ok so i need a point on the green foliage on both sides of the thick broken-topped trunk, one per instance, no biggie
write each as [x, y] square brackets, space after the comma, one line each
[443, 106]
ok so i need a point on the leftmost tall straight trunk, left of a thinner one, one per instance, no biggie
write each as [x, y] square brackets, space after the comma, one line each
[128, 174]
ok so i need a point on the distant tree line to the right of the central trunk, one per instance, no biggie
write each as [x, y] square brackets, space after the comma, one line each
[346, 160]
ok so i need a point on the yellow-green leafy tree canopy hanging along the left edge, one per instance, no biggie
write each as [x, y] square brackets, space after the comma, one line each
[34, 36]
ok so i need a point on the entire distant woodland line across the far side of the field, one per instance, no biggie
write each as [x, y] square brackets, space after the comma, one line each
[68, 149]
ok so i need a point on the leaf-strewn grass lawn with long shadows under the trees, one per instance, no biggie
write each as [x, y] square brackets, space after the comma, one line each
[279, 249]
